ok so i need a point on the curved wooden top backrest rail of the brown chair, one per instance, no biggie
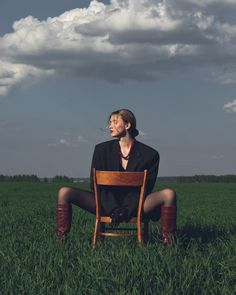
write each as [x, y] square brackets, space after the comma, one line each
[118, 178]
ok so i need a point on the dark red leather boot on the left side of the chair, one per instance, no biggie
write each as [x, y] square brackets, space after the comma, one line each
[63, 220]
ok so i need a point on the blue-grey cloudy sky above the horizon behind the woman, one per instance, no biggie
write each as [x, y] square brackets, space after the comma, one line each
[66, 65]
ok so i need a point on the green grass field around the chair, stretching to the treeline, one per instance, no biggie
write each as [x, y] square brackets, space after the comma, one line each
[32, 261]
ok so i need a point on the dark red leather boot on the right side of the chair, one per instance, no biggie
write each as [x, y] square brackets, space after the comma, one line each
[168, 224]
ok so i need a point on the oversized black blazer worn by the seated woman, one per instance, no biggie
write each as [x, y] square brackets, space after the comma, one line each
[106, 157]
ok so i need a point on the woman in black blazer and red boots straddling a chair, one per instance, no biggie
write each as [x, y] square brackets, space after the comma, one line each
[122, 154]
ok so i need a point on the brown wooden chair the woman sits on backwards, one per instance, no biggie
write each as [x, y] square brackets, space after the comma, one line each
[117, 178]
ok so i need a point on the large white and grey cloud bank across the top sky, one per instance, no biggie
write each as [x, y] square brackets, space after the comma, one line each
[135, 39]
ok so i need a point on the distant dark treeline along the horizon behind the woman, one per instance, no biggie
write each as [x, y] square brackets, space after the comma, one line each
[58, 178]
